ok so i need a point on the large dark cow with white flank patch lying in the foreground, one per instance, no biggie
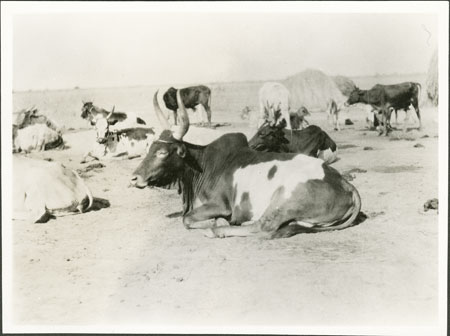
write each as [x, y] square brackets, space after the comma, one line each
[270, 195]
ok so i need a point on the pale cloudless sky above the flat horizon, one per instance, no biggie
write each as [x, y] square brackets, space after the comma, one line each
[64, 50]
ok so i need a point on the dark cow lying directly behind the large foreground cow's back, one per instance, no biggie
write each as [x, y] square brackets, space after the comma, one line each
[311, 141]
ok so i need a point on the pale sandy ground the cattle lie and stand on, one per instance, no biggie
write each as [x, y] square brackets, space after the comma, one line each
[131, 264]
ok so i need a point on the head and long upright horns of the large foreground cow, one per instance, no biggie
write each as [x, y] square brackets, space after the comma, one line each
[168, 155]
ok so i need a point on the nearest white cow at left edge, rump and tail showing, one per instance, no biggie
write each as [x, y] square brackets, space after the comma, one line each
[43, 189]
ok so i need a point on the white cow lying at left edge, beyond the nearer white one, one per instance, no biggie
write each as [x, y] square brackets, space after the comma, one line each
[38, 137]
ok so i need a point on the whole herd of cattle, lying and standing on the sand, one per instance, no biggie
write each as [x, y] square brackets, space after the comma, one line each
[277, 184]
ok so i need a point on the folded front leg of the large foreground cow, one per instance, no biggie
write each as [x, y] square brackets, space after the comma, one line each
[206, 216]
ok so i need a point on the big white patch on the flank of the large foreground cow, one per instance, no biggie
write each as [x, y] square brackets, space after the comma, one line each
[254, 180]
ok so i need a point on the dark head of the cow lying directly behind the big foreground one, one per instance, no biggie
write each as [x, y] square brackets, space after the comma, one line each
[270, 138]
